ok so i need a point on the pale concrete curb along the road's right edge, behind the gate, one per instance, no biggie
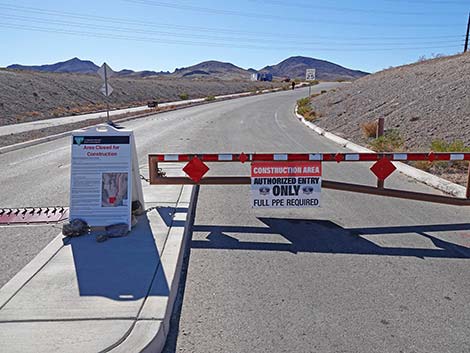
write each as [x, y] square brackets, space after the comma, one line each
[415, 173]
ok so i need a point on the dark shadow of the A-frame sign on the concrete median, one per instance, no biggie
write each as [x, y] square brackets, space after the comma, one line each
[120, 268]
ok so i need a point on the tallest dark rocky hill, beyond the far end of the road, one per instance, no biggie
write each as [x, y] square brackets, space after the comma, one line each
[294, 67]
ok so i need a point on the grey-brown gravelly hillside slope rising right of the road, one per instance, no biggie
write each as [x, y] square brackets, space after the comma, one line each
[425, 101]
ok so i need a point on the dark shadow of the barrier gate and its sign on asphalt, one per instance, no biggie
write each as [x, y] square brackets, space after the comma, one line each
[321, 236]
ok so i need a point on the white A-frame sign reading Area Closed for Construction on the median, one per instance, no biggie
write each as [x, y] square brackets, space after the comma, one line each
[104, 176]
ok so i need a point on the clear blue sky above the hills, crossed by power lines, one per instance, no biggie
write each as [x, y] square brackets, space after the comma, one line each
[164, 35]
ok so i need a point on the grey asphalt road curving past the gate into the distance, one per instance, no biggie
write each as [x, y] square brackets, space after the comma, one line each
[361, 274]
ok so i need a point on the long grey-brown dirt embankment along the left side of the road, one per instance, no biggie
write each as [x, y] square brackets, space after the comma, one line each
[27, 96]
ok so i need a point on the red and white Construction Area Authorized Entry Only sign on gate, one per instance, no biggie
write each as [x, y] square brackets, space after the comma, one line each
[285, 184]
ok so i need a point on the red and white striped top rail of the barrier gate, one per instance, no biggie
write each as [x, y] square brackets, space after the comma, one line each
[325, 157]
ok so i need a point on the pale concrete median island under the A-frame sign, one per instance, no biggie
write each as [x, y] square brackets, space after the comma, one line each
[93, 297]
